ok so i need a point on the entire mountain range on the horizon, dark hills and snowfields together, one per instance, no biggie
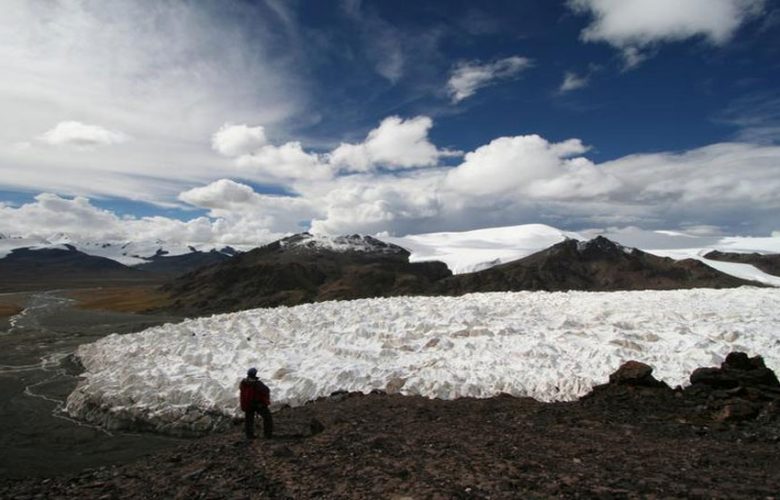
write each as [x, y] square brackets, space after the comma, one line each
[306, 268]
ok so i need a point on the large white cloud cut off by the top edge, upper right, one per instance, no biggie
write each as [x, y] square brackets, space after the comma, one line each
[633, 26]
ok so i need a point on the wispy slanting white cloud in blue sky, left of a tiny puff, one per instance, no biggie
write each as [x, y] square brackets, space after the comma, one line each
[468, 77]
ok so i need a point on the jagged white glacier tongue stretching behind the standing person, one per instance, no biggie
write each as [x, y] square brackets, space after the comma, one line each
[549, 346]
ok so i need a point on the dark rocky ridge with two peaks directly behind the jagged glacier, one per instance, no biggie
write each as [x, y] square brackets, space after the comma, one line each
[304, 268]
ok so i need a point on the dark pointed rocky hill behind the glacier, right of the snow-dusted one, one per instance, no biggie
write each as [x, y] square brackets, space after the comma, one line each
[598, 264]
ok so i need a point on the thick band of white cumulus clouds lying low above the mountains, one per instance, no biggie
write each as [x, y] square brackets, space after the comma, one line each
[725, 187]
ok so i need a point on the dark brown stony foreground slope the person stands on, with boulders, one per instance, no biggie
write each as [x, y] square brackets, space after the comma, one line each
[632, 437]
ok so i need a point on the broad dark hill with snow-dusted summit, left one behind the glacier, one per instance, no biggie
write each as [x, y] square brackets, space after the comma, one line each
[301, 269]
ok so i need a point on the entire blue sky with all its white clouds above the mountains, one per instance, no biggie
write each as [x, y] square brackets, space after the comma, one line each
[237, 121]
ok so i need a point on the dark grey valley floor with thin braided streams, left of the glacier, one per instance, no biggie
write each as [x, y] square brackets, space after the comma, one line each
[37, 374]
